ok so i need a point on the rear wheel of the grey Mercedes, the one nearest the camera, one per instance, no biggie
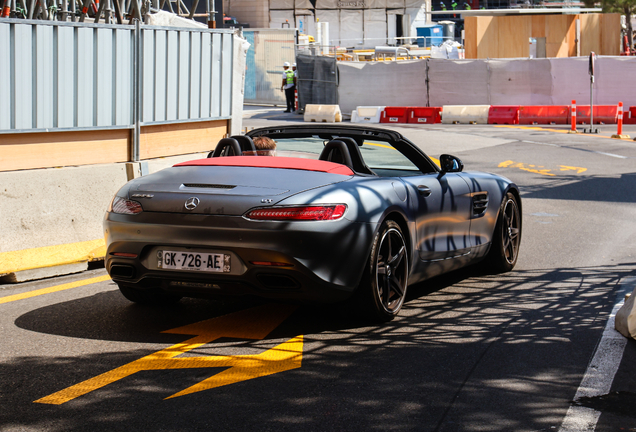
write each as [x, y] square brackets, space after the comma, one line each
[382, 289]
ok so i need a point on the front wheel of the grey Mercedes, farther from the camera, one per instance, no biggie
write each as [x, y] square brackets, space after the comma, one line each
[506, 239]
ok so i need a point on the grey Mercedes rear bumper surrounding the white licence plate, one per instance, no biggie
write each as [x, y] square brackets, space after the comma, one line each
[325, 259]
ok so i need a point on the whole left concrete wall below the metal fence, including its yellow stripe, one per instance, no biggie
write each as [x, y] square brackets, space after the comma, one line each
[52, 218]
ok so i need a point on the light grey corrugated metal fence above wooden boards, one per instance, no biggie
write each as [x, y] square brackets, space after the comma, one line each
[62, 76]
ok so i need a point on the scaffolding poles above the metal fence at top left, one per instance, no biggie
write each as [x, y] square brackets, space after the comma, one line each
[107, 11]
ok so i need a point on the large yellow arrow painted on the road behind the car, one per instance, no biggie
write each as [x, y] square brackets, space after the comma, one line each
[255, 323]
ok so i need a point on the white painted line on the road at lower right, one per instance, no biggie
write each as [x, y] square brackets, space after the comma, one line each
[600, 373]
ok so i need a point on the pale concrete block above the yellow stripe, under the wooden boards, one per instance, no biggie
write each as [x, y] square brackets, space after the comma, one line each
[54, 206]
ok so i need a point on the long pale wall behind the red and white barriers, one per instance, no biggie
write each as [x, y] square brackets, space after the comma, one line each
[438, 82]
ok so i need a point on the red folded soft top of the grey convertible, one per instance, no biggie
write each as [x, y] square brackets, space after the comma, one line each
[272, 162]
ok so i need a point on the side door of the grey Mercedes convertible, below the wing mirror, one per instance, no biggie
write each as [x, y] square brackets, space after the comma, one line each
[442, 205]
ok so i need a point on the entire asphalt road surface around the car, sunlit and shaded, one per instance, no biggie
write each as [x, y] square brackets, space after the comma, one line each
[469, 352]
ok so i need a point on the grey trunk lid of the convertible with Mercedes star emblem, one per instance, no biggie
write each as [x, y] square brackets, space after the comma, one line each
[223, 190]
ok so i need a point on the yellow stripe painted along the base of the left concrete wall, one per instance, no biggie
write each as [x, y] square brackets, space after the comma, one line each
[50, 256]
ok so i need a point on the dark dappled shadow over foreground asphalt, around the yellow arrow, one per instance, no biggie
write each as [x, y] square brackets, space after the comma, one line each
[470, 351]
